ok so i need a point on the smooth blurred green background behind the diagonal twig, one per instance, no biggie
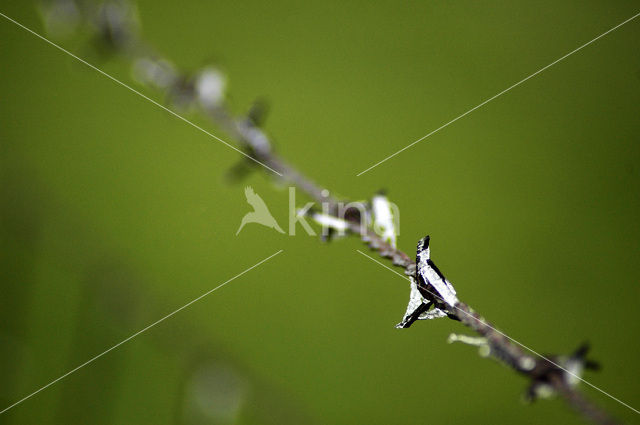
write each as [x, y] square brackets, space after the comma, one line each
[115, 213]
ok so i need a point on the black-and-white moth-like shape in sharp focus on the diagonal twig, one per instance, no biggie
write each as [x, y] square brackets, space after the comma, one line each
[430, 289]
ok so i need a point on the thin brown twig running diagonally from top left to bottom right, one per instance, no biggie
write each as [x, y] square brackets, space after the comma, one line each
[115, 25]
